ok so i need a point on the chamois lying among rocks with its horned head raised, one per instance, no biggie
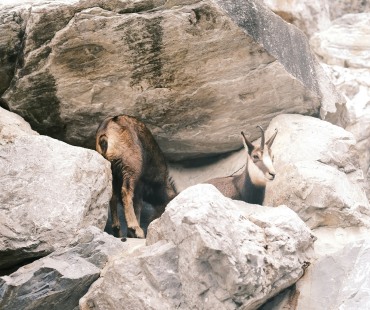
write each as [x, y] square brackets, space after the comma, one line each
[251, 184]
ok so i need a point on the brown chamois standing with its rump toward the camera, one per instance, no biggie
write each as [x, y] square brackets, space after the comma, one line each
[139, 171]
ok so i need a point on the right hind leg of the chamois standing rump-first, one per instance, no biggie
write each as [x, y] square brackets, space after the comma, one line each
[133, 227]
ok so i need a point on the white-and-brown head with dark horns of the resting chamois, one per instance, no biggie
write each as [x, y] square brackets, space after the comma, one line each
[260, 166]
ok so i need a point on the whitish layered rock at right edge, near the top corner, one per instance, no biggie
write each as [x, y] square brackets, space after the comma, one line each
[346, 42]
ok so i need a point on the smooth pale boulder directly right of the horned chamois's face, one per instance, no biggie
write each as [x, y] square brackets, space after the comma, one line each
[318, 172]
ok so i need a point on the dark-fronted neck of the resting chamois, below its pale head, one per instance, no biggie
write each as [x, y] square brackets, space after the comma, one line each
[250, 192]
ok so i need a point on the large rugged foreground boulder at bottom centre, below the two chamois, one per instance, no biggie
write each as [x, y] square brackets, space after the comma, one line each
[207, 252]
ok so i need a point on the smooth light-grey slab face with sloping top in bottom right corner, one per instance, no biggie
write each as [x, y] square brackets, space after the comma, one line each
[339, 280]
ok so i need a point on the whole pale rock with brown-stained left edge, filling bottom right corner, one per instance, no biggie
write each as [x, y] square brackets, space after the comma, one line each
[338, 279]
